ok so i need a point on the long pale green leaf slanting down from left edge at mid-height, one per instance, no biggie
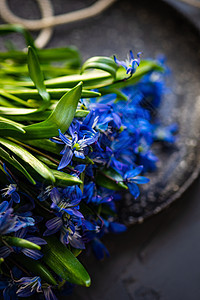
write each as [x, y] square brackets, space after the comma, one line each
[29, 159]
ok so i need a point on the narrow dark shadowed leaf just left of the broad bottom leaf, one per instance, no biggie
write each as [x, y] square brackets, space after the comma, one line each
[36, 267]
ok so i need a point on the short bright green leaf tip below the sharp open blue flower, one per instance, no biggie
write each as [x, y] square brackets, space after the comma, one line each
[64, 179]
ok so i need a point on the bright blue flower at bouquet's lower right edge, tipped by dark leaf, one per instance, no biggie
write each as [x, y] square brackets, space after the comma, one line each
[132, 179]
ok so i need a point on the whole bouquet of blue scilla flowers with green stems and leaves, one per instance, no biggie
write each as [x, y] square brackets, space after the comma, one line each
[73, 140]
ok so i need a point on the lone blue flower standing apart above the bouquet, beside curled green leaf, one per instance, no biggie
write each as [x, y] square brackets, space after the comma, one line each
[130, 64]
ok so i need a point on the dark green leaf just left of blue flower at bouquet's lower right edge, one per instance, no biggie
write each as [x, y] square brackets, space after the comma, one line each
[110, 179]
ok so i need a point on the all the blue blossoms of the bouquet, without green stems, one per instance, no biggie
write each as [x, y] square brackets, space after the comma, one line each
[110, 150]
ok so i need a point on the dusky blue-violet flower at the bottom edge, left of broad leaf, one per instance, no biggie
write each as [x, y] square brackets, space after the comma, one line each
[27, 286]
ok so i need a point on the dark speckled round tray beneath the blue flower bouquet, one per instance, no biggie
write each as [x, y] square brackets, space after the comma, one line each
[153, 28]
